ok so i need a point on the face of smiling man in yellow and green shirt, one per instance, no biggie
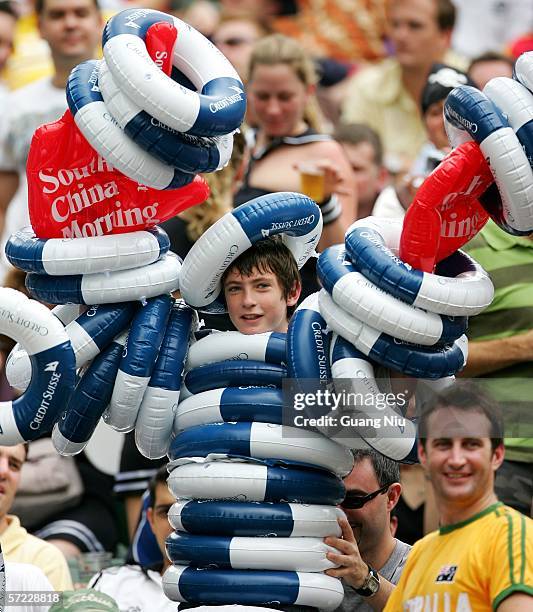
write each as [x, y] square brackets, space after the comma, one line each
[458, 456]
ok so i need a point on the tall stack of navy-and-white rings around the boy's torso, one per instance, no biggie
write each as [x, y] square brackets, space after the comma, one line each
[237, 479]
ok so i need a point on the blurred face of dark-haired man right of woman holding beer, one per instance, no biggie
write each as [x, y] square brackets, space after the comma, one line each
[368, 175]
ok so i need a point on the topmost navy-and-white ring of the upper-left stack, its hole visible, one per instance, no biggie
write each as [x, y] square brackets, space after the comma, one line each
[217, 109]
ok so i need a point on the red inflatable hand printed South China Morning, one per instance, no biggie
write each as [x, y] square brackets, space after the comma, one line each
[73, 192]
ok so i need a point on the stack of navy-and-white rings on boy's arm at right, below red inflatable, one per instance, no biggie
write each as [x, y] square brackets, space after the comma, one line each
[383, 311]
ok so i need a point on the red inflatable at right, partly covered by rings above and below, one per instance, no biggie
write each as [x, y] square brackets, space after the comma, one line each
[445, 213]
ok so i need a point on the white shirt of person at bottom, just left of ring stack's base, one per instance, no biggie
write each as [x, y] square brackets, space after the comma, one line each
[133, 590]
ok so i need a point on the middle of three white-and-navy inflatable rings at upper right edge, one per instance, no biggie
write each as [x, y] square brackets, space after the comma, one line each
[516, 102]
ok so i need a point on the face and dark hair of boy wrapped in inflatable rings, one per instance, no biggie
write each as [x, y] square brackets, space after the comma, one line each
[262, 287]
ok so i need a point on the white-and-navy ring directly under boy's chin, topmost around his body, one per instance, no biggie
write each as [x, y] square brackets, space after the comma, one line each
[269, 347]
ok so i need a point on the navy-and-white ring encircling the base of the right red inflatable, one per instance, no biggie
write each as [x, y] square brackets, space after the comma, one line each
[460, 288]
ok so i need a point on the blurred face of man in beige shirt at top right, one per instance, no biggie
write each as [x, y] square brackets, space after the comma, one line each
[415, 34]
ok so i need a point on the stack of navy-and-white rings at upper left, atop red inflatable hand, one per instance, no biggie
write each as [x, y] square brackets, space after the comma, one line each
[156, 129]
